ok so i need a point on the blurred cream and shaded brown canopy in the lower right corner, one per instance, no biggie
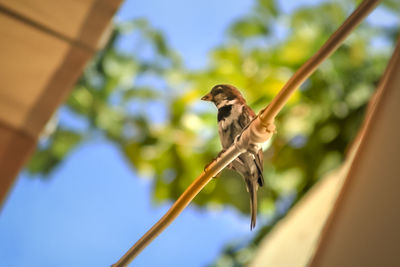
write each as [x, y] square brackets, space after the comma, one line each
[351, 217]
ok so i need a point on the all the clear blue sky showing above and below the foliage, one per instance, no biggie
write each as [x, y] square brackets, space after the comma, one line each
[93, 208]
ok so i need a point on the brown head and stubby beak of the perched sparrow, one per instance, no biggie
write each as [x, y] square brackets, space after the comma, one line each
[224, 93]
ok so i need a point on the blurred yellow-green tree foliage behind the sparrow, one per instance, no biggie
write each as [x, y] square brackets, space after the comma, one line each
[174, 142]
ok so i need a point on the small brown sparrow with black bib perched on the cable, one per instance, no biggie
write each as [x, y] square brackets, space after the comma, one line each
[233, 116]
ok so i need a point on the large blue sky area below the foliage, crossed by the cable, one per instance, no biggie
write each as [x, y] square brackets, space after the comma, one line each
[93, 209]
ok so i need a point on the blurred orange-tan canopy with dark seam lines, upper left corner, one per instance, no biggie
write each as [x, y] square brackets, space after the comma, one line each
[45, 46]
